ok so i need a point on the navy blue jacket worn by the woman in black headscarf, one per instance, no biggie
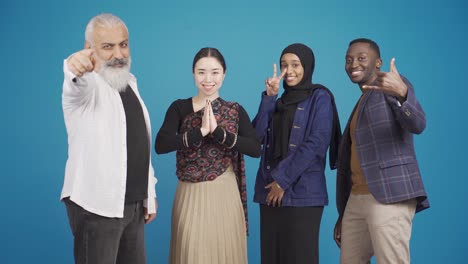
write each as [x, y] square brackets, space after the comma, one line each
[301, 174]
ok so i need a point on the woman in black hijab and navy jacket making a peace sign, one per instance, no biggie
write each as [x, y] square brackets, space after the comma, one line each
[295, 131]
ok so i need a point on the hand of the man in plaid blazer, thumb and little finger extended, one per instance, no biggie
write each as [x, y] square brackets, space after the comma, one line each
[390, 83]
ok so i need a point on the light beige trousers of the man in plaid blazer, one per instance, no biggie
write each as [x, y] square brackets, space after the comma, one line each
[372, 228]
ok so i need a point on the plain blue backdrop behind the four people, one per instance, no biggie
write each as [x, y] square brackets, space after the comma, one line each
[428, 39]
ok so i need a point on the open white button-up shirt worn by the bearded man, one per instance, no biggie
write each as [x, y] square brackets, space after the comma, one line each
[96, 169]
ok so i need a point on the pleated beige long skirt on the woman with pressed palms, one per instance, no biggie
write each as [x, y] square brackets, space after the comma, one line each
[208, 224]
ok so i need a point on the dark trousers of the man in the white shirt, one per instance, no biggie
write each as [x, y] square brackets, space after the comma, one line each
[104, 240]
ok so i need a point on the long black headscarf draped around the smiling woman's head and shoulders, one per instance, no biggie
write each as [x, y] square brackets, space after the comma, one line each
[283, 117]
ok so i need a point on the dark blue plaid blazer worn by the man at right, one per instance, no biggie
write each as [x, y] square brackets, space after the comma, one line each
[384, 143]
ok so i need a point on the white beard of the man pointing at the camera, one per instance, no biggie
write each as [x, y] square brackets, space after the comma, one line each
[117, 78]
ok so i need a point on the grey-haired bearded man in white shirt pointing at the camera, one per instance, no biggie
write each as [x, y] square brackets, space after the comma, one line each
[109, 187]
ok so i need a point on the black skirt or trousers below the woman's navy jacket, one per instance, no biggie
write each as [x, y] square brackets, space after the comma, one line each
[290, 235]
